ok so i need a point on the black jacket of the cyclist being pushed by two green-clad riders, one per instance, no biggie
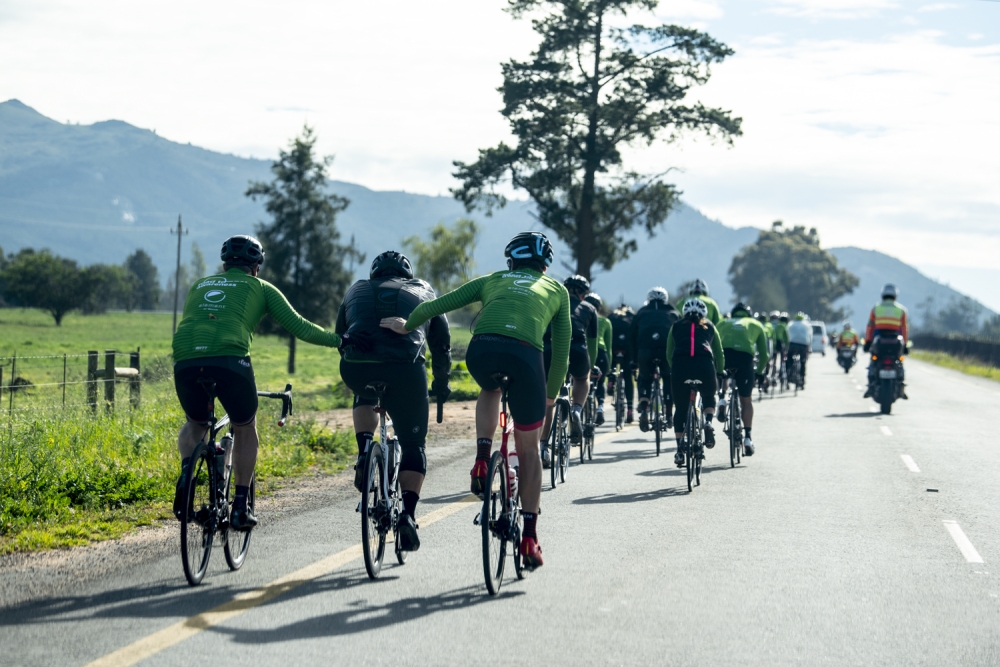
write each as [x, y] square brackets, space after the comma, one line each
[368, 301]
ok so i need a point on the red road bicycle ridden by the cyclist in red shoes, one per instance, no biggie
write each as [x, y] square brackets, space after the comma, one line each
[500, 518]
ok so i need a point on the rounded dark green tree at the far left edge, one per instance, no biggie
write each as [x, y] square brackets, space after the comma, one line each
[42, 280]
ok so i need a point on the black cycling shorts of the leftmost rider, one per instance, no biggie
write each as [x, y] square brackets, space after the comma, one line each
[235, 386]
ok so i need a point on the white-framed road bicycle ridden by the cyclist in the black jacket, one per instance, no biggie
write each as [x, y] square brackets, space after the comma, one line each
[381, 499]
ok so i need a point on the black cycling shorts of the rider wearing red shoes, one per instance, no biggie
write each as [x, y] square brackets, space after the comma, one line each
[492, 354]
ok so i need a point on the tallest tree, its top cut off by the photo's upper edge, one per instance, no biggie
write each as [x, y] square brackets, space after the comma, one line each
[590, 90]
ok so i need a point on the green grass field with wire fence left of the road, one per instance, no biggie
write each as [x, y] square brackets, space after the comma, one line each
[69, 476]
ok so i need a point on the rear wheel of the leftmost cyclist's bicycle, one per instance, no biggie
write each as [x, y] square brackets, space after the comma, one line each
[198, 527]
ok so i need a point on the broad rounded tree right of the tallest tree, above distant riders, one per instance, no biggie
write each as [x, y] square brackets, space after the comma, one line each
[786, 269]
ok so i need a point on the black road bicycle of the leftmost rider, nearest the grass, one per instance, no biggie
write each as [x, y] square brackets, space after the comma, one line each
[210, 490]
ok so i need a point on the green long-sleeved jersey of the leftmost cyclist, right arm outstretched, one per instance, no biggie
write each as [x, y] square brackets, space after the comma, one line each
[222, 311]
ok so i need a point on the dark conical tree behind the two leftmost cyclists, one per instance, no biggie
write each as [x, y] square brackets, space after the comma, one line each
[304, 259]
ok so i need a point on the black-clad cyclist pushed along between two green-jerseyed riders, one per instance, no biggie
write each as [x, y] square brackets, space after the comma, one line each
[399, 361]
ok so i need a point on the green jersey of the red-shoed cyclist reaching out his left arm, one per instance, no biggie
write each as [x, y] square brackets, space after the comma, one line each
[516, 303]
